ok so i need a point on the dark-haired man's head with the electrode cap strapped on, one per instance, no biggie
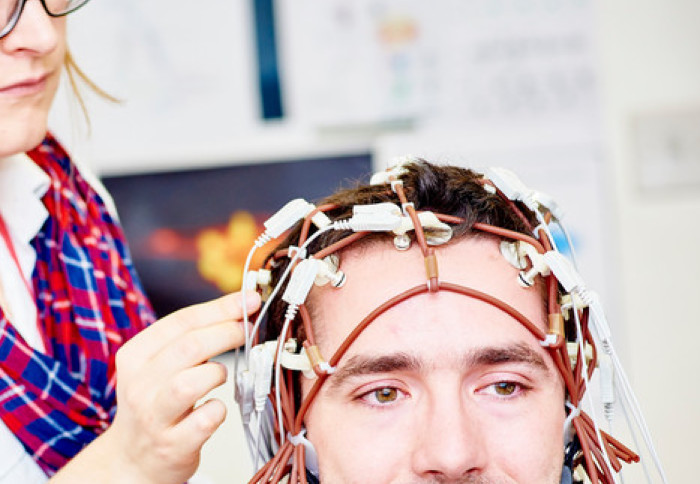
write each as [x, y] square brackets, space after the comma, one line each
[440, 356]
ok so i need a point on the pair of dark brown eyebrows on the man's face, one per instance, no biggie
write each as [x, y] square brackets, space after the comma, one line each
[360, 365]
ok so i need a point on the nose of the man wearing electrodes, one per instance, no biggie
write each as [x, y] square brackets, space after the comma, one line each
[449, 442]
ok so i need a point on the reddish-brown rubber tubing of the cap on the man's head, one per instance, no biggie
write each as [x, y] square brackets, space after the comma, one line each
[593, 455]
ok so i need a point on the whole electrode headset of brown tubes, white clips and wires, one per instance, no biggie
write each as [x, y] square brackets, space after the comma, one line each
[267, 388]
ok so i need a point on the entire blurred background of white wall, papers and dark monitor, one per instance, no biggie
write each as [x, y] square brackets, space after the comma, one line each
[232, 107]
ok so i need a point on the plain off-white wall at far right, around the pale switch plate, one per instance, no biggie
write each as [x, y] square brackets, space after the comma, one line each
[650, 60]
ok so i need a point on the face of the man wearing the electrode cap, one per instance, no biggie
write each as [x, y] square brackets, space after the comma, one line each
[442, 388]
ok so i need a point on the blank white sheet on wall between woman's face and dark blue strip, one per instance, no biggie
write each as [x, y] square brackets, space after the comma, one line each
[184, 71]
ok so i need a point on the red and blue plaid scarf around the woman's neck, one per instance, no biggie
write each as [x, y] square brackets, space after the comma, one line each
[89, 303]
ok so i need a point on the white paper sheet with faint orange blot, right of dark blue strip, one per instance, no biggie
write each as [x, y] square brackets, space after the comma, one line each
[470, 61]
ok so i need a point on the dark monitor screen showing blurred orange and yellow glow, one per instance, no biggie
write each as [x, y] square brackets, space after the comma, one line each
[190, 230]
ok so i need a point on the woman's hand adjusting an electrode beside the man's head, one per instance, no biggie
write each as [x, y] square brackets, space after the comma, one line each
[157, 434]
